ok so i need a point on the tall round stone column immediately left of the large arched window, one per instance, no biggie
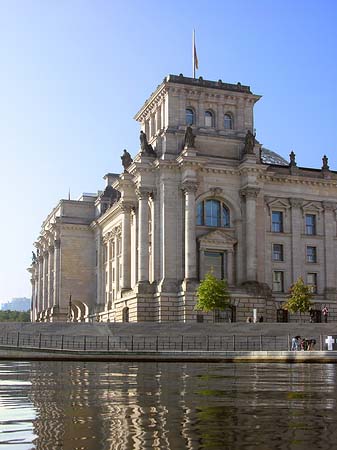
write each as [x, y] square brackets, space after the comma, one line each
[190, 189]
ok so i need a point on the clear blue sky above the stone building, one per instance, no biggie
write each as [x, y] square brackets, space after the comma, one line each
[73, 74]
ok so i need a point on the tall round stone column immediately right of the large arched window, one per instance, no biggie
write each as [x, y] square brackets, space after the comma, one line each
[250, 195]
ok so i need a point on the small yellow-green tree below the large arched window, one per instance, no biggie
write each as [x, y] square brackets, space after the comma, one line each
[212, 294]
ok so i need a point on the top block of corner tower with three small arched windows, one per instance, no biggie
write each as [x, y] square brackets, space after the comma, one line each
[220, 115]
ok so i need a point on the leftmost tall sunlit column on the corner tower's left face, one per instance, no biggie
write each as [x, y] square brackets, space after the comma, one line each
[126, 246]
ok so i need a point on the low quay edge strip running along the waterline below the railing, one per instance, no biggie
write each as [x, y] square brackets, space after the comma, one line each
[17, 354]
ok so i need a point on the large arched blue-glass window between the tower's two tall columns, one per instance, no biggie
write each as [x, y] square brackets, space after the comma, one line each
[213, 213]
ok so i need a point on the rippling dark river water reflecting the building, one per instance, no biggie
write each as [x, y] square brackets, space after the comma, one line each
[101, 406]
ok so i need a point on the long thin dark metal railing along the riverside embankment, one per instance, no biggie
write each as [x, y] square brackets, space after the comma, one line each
[136, 343]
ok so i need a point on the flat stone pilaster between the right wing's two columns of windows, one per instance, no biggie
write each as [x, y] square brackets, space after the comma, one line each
[296, 244]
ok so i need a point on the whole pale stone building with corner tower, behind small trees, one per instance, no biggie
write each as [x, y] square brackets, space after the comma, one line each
[200, 194]
